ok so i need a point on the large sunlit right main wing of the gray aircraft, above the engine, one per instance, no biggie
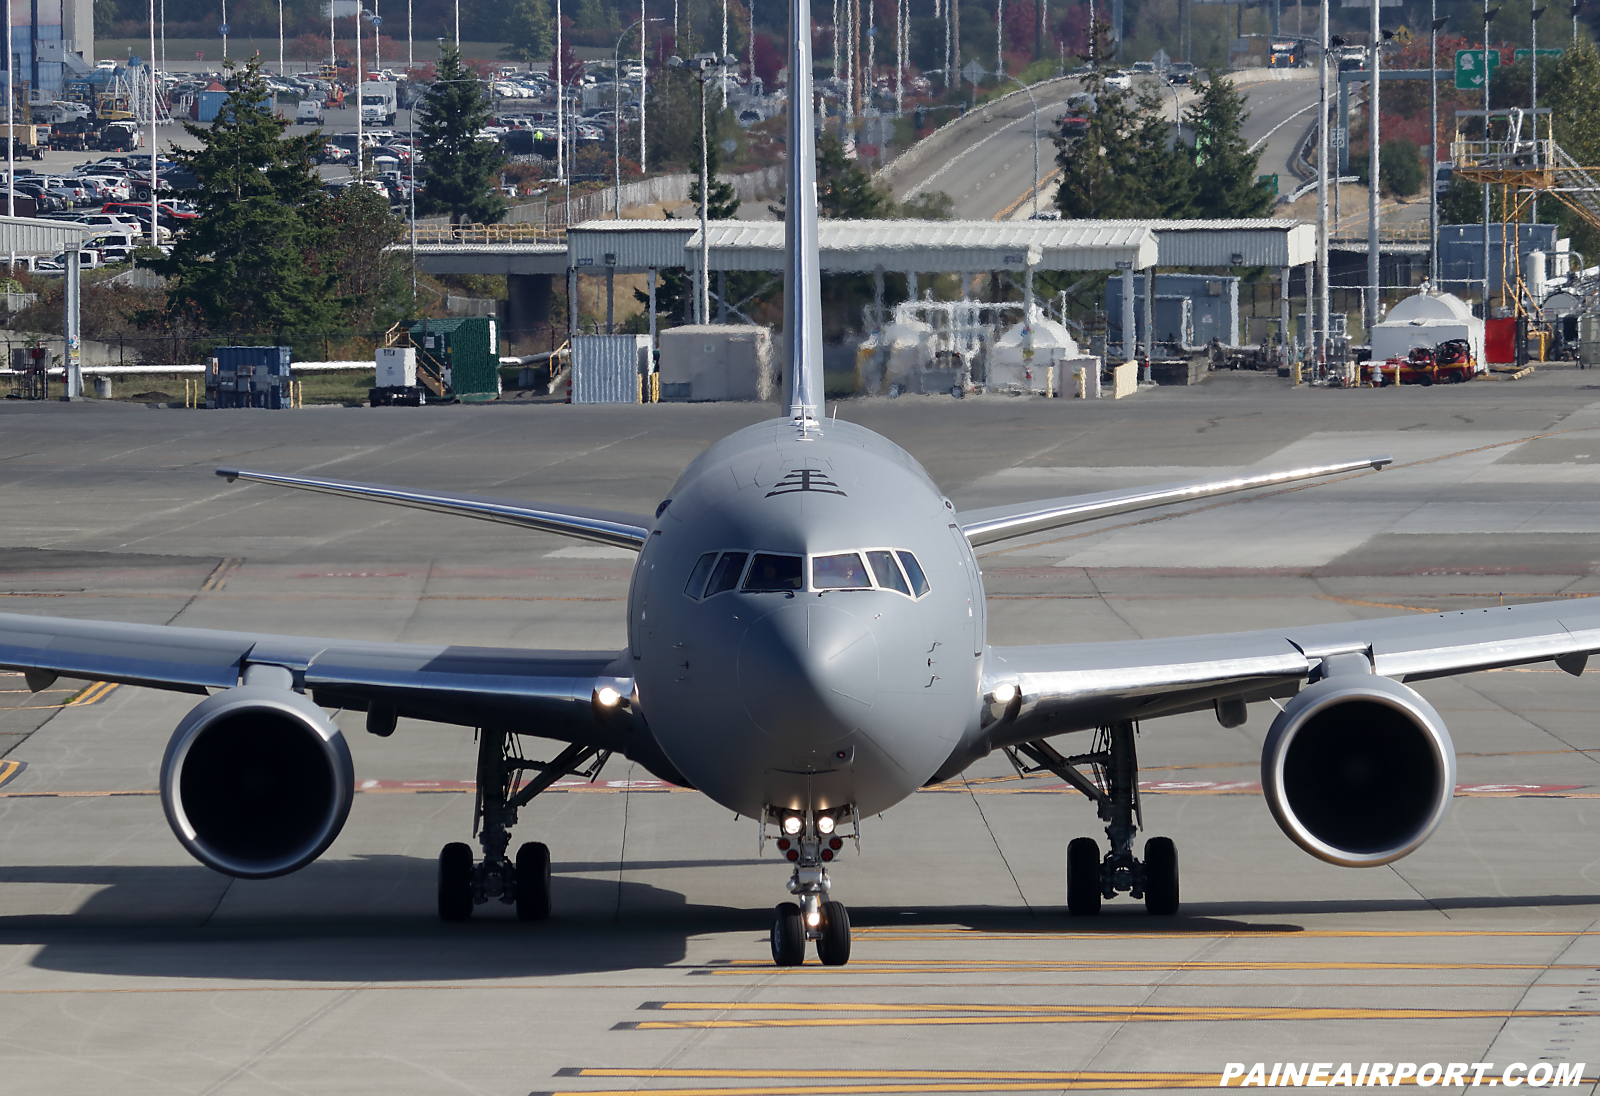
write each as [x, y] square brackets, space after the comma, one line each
[1082, 686]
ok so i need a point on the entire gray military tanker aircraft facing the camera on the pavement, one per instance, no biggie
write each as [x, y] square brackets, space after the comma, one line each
[807, 646]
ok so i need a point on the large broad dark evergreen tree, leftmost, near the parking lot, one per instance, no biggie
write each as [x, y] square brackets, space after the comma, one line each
[254, 258]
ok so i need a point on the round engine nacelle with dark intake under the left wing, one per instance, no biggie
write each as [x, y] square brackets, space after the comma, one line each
[257, 782]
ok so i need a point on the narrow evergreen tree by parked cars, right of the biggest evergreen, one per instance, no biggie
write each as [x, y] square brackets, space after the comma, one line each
[458, 169]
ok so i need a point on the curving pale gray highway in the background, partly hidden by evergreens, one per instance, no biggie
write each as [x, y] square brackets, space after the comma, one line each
[988, 169]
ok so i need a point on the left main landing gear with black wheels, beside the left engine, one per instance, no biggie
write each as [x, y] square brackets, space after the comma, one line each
[524, 884]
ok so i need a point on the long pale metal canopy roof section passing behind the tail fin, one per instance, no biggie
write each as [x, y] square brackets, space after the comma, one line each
[934, 247]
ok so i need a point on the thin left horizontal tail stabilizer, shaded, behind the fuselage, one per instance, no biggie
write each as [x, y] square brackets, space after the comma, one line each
[604, 527]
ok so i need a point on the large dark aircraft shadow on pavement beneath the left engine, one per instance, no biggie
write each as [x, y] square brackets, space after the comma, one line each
[367, 919]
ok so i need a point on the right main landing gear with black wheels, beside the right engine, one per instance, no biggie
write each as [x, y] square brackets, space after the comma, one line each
[1116, 793]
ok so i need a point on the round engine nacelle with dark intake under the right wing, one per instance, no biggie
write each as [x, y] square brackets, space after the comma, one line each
[1359, 770]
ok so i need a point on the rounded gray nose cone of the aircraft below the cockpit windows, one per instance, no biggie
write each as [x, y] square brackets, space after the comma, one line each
[809, 673]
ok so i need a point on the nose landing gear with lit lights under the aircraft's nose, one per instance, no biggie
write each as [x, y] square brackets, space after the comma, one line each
[810, 841]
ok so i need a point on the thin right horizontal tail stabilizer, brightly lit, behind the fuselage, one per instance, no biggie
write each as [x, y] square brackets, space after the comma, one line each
[1018, 519]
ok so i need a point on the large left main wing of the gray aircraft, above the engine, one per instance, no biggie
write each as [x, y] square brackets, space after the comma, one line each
[550, 694]
